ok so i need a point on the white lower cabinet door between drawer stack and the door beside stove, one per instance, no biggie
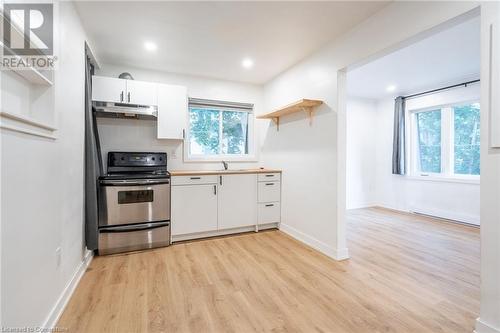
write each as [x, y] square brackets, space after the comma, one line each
[237, 200]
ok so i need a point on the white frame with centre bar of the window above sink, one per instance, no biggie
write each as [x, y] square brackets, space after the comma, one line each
[249, 157]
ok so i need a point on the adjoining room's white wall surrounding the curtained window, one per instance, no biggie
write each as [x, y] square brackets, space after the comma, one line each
[448, 199]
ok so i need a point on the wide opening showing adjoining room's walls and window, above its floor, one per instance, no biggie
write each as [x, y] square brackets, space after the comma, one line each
[413, 128]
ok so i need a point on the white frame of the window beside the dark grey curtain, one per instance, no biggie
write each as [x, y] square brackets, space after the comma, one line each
[447, 145]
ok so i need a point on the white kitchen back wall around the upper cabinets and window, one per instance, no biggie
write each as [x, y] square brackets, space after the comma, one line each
[140, 135]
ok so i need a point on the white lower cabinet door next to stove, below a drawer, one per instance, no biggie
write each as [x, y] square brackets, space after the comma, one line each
[194, 209]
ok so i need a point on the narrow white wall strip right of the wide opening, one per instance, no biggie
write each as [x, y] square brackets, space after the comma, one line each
[489, 320]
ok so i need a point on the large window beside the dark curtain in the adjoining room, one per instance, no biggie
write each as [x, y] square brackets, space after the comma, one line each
[445, 141]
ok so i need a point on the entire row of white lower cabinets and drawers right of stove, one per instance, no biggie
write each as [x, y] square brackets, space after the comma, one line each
[208, 205]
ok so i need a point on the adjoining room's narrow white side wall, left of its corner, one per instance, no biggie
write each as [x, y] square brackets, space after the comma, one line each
[361, 164]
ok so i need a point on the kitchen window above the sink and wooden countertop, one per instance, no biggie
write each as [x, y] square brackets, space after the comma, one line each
[219, 130]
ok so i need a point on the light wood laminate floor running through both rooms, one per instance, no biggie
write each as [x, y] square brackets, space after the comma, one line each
[406, 274]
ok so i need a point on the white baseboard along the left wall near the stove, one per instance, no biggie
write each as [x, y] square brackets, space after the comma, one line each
[65, 296]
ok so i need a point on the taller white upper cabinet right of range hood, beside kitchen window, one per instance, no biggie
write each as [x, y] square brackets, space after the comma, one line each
[172, 111]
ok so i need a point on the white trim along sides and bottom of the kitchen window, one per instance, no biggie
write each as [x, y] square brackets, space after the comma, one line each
[250, 157]
